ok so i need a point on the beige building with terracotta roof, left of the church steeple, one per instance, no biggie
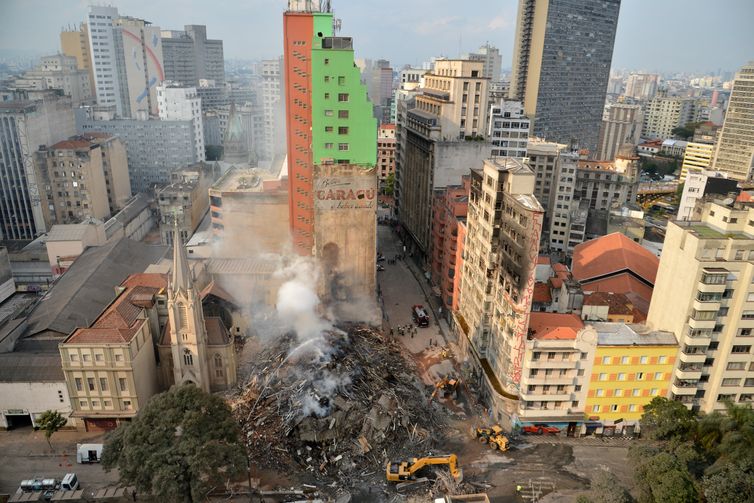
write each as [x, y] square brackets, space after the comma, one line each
[110, 368]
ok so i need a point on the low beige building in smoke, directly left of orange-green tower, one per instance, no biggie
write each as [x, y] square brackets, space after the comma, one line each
[249, 210]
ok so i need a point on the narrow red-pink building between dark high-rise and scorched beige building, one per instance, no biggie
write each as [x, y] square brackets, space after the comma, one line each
[449, 205]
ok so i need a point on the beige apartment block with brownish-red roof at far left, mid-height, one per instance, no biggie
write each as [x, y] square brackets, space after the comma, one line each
[86, 177]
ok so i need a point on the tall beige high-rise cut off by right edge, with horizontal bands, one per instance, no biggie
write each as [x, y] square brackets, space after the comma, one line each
[735, 148]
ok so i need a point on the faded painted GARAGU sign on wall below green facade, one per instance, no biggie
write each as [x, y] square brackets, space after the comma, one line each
[345, 193]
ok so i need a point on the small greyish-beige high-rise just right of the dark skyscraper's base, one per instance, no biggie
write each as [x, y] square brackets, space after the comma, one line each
[621, 125]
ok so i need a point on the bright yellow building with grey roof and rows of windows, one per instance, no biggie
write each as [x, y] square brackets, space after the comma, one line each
[632, 365]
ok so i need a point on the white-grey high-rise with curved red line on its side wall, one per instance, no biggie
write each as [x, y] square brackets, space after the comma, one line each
[127, 60]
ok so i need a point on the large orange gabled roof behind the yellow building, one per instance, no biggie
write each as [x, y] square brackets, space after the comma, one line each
[613, 254]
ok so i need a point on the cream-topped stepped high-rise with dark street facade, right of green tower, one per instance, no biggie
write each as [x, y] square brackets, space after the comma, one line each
[443, 136]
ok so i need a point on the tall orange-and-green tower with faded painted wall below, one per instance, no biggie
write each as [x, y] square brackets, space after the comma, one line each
[332, 151]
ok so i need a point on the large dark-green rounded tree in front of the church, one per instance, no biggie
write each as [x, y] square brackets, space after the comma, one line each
[180, 447]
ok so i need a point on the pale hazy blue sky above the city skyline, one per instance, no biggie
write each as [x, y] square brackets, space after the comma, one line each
[654, 35]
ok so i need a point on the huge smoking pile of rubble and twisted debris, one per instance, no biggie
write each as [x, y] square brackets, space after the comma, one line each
[343, 411]
